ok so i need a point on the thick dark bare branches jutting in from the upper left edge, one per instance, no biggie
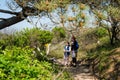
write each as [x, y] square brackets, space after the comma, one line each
[19, 16]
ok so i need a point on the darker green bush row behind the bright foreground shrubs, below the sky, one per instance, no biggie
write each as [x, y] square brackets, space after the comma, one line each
[29, 37]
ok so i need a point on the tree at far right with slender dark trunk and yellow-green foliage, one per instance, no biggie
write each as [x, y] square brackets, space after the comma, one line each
[113, 11]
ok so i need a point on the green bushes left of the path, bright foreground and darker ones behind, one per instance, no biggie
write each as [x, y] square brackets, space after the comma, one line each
[18, 60]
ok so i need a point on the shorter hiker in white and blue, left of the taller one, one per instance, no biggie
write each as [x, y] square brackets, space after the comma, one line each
[67, 50]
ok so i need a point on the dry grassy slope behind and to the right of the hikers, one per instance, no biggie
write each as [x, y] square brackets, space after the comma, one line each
[103, 52]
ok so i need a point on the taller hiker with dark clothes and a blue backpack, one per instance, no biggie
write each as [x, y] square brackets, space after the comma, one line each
[74, 50]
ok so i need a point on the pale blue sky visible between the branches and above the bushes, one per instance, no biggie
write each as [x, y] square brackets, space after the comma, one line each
[24, 24]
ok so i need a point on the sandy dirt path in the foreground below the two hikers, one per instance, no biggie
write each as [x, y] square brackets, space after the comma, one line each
[80, 72]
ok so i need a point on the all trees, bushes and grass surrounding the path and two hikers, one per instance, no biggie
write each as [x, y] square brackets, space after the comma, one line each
[98, 45]
